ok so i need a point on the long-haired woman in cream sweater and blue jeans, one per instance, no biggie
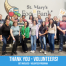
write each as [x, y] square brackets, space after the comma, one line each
[51, 35]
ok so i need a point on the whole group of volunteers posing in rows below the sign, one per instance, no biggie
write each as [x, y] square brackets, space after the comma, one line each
[41, 33]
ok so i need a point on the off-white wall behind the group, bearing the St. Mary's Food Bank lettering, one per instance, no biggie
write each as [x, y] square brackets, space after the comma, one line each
[53, 6]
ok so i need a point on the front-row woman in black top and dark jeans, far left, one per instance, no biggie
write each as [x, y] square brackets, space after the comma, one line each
[5, 32]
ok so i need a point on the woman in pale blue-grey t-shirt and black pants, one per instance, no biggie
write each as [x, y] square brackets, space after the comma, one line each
[15, 34]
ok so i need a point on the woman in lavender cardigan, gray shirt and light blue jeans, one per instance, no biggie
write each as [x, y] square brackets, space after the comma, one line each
[34, 36]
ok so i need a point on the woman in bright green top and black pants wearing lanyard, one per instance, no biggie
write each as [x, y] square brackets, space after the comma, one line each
[25, 35]
